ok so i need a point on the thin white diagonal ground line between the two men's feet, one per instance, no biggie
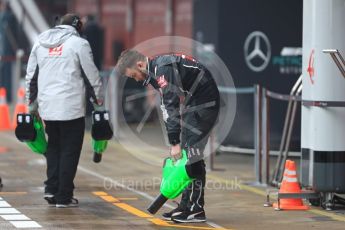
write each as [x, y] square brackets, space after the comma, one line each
[147, 196]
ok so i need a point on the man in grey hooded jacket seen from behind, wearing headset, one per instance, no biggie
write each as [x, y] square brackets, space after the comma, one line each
[60, 70]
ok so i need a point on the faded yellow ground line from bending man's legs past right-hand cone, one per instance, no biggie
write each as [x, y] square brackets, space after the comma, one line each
[263, 193]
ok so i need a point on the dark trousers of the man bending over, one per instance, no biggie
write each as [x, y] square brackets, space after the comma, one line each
[196, 129]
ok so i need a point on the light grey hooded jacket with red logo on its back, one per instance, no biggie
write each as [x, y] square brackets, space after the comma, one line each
[60, 69]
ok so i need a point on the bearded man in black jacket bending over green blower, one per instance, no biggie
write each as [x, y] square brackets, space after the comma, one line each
[190, 106]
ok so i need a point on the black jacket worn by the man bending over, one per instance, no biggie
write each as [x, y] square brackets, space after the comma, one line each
[181, 80]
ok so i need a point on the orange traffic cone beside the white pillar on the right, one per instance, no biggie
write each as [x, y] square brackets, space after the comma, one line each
[290, 185]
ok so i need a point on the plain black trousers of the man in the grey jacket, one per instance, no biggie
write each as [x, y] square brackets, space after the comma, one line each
[65, 140]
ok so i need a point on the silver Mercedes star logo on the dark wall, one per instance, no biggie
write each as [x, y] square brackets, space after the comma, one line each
[257, 51]
